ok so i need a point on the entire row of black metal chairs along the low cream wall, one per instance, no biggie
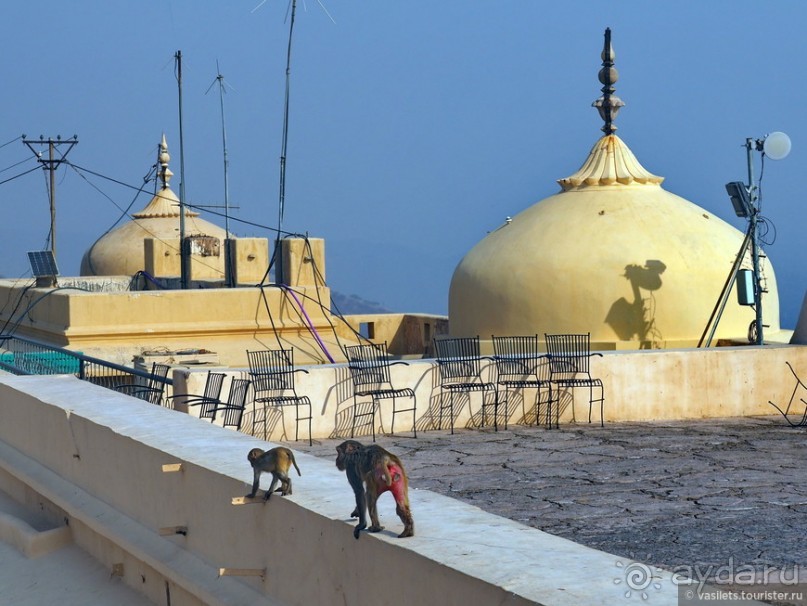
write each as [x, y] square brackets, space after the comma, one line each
[518, 361]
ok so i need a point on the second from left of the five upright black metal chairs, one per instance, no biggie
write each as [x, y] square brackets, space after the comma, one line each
[369, 367]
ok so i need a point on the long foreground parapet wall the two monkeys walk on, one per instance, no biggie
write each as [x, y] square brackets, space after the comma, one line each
[94, 460]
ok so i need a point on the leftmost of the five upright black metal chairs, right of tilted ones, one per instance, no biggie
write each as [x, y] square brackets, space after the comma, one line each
[272, 372]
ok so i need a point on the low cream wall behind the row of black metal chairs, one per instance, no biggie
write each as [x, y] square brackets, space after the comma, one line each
[639, 386]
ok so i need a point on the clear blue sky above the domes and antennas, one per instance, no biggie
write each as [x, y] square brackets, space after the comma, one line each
[415, 127]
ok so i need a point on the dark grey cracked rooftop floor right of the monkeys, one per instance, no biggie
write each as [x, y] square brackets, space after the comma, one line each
[678, 495]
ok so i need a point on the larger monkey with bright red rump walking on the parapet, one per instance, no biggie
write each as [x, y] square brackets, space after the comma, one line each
[371, 471]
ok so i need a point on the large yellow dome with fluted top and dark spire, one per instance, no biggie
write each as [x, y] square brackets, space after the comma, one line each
[613, 253]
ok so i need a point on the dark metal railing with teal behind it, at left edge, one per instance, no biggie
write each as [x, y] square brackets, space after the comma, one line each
[23, 356]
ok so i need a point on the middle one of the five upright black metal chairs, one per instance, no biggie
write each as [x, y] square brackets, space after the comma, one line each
[460, 369]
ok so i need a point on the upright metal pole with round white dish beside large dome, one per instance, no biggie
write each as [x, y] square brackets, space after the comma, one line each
[744, 198]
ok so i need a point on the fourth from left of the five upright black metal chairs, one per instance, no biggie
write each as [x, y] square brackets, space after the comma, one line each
[520, 365]
